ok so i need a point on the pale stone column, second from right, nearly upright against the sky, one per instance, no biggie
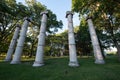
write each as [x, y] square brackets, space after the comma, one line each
[72, 47]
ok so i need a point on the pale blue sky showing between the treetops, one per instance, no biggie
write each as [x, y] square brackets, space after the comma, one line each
[59, 7]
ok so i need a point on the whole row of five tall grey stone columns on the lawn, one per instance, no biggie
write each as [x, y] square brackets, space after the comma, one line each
[41, 42]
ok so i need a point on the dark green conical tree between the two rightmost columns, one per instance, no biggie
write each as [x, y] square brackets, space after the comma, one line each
[83, 41]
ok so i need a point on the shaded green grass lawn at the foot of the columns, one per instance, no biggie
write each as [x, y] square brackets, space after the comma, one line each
[58, 69]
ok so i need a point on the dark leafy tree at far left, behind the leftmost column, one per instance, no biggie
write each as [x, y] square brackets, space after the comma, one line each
[11, 14]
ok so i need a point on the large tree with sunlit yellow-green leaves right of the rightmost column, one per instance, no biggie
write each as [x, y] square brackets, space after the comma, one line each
[106, 16]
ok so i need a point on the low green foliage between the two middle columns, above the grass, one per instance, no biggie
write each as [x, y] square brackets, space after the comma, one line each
[56, 44]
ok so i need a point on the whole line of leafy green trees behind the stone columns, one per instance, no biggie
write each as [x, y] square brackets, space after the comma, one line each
[106, 18]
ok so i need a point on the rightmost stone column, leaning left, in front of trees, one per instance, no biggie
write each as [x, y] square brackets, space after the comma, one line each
[96, 48]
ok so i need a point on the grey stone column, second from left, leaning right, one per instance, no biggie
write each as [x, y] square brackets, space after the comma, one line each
[20, 44]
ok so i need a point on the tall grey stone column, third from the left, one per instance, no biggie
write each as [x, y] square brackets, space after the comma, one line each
[41, 41]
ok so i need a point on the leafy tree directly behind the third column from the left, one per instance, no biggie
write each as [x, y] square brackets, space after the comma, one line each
[36, 8]
